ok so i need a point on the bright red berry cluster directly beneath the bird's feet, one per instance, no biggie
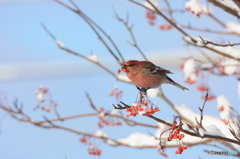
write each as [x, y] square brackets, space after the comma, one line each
[142, 106]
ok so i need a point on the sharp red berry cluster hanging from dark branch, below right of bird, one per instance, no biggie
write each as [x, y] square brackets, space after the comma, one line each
[175, 134]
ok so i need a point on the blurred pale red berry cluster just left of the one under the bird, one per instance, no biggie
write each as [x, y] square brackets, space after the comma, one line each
[110, 121]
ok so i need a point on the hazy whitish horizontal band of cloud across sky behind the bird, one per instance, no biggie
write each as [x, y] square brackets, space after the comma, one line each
[35, 70]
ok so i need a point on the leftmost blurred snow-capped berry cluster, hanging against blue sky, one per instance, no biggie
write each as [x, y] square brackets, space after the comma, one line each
[44, 97]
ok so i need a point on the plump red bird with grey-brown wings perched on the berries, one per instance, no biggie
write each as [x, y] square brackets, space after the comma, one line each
[146, 75]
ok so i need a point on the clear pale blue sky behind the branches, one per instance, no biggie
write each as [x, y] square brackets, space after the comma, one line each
[25, 45]
